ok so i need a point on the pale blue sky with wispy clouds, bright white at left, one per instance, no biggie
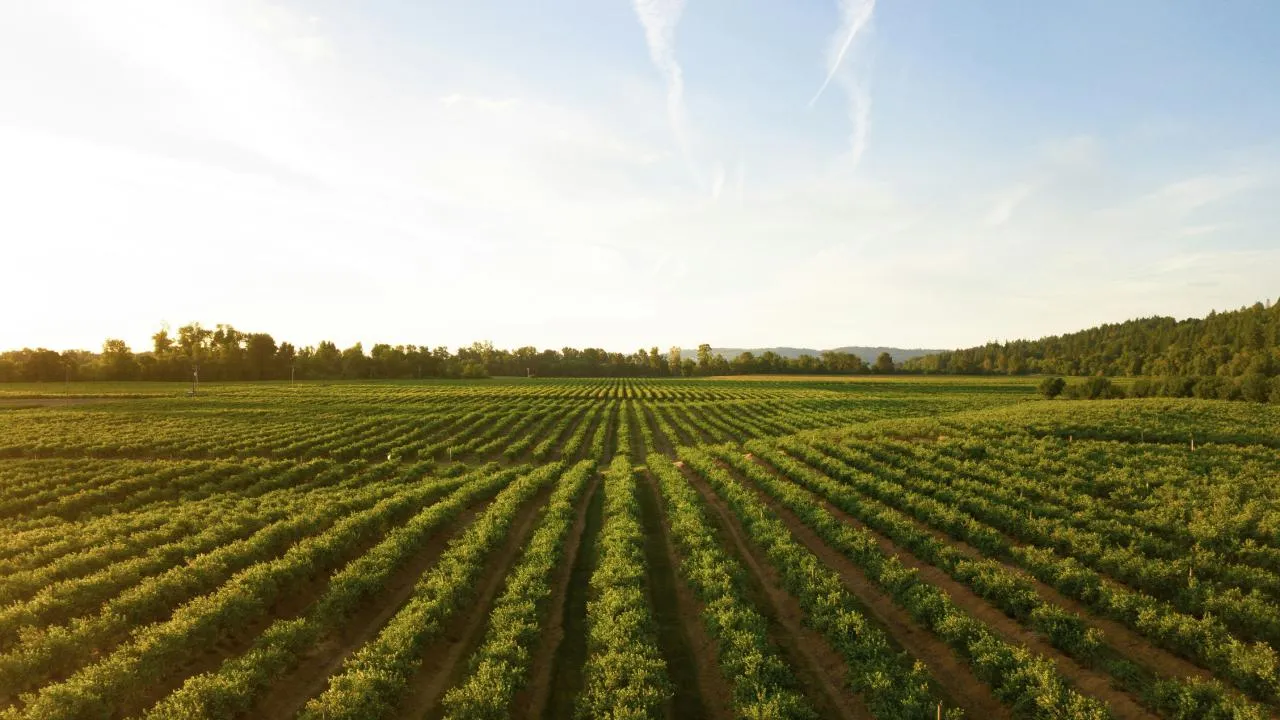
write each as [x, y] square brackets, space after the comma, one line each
[621, 175]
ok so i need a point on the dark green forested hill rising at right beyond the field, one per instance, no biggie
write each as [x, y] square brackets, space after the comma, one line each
[1238, 343]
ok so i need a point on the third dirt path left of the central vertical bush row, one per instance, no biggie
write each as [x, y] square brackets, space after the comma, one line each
[309, 680]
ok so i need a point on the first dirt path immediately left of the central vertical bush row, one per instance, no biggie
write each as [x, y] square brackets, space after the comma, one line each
[559, 662]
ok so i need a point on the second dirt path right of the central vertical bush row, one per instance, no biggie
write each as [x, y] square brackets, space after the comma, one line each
[821, 671]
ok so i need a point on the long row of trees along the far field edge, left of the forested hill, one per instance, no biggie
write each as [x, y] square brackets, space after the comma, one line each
[227, 354]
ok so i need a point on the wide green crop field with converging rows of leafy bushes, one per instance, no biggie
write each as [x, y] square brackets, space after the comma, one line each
[749, 548]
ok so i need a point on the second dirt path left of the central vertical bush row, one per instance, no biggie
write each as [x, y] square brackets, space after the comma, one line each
[445, 660]
